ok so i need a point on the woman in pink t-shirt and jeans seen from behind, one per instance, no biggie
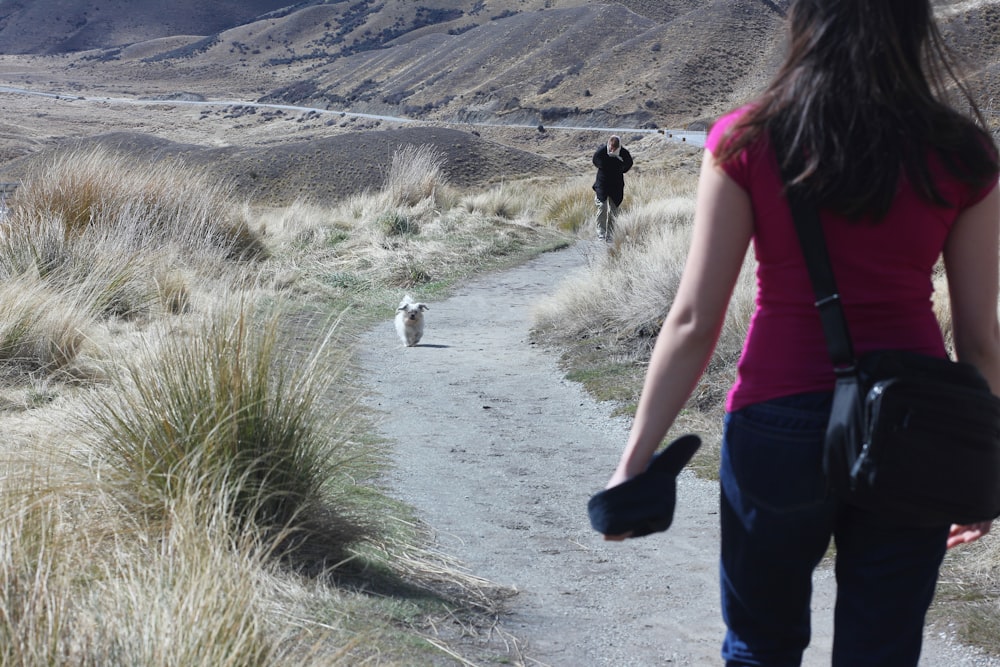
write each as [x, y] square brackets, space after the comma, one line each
[857, 117]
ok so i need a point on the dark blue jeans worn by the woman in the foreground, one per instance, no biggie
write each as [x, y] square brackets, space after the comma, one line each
[777, 522]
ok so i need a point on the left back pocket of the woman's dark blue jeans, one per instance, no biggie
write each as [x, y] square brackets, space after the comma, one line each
[772, 457]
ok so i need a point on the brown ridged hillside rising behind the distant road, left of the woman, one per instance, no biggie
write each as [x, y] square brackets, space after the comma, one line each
[636, 63]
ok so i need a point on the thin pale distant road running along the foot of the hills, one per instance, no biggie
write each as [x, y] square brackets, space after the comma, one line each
[696, 138]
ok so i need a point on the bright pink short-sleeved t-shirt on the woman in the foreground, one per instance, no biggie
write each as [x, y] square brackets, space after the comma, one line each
[883, 274]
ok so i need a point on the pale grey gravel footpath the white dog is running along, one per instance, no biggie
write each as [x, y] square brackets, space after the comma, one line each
[499, 454]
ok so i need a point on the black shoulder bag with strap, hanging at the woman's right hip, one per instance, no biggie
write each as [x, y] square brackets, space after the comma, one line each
[913, 437]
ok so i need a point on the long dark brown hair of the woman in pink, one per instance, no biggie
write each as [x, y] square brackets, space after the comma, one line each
[860, 101]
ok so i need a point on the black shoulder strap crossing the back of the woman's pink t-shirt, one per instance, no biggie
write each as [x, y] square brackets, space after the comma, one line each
[831, 311]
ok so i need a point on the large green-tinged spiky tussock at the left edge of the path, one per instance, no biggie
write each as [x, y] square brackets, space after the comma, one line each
[226, 411]
